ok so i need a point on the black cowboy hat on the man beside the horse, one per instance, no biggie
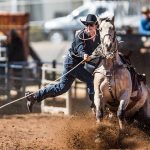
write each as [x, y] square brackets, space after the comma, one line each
[90, 19]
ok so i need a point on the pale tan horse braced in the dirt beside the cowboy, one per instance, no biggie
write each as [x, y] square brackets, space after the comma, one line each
[112, 79]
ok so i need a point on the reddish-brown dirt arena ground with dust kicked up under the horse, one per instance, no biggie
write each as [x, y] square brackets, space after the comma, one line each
[20, 130]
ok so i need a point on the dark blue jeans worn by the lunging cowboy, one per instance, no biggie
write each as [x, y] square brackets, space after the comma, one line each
[66, 81]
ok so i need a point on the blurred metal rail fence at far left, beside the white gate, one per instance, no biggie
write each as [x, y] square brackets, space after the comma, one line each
[17, 76]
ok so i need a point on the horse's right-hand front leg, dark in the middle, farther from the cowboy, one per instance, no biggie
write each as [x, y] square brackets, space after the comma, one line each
[124, 101]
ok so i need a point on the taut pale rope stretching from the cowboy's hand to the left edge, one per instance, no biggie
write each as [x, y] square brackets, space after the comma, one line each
[19, 99]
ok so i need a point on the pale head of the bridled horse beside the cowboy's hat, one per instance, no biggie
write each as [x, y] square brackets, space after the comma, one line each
[107, 36]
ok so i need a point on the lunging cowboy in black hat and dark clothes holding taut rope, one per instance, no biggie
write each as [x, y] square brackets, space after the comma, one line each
[82, 47]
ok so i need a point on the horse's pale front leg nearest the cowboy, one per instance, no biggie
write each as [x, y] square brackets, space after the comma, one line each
[97, 97]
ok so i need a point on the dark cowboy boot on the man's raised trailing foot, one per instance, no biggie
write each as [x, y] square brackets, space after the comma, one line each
[30, 100]
